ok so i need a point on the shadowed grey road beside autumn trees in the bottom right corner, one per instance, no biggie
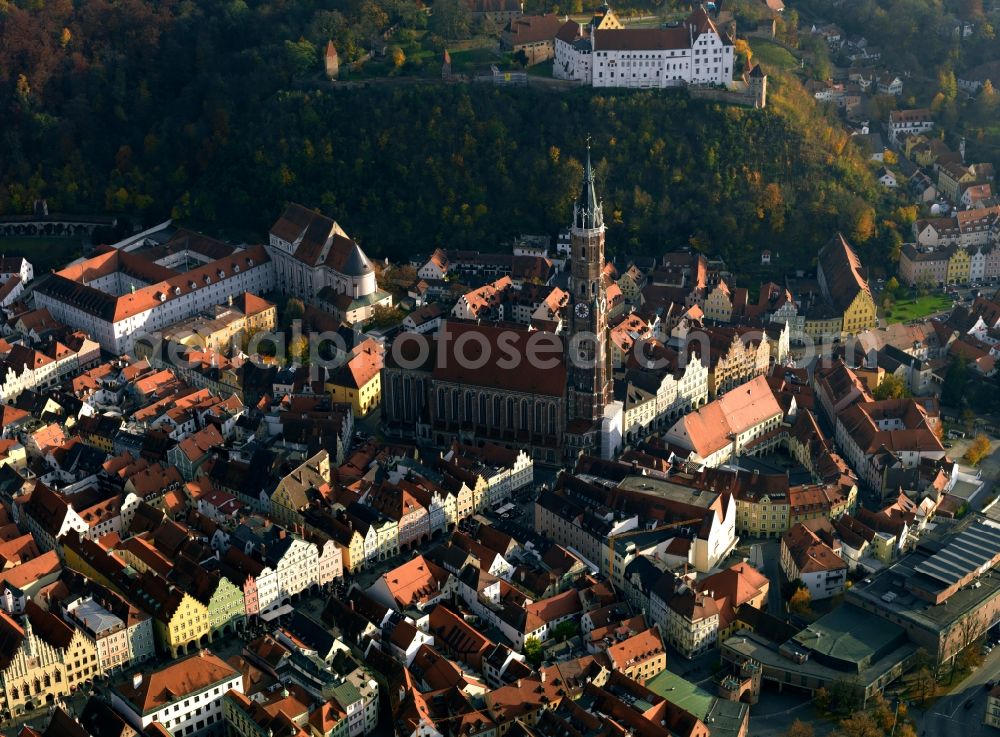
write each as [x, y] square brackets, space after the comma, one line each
[949, 715]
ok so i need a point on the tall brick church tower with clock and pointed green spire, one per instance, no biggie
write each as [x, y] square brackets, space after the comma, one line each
[589, 390]
